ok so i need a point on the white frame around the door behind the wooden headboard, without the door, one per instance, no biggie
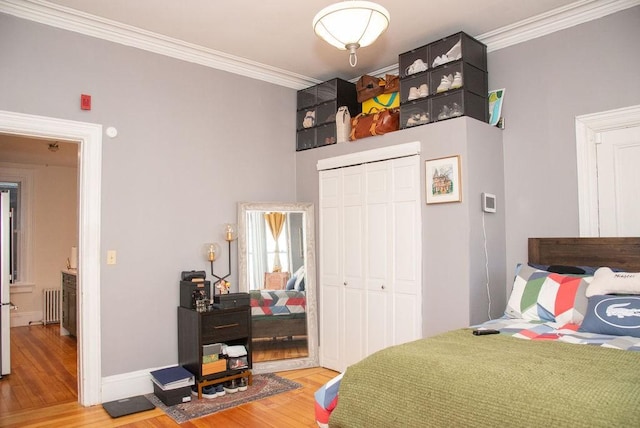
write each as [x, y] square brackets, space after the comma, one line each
[588, 129]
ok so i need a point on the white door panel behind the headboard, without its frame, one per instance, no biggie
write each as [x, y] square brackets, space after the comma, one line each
[618, 157]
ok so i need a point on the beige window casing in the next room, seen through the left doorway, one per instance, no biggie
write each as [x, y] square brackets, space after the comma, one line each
[19, 183]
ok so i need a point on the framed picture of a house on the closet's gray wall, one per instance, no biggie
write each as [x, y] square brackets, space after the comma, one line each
[443, 183]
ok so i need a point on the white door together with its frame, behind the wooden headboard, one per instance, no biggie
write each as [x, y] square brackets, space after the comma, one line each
[605, 143]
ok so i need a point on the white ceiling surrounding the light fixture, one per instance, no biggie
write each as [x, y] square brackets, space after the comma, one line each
[278, 33]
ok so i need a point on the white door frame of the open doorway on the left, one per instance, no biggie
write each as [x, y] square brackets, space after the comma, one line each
[89, 138]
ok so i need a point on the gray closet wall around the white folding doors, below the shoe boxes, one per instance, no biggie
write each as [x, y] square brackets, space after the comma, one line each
[454, 282]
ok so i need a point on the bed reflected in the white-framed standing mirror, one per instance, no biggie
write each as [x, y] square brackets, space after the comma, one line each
[278, 313]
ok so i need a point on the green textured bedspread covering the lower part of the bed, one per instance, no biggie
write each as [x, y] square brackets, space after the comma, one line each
[460, 380]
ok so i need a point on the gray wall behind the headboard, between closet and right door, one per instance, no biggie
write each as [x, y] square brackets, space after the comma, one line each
[589, 68]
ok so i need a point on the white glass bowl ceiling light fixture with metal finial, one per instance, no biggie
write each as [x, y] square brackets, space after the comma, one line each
[349, 25]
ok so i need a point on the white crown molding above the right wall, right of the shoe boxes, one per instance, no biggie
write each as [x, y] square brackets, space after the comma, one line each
[554, 20]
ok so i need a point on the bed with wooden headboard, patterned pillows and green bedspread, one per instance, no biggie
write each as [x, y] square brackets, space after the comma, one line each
[556, 361]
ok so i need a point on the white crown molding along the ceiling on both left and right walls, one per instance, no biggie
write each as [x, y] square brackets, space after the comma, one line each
[69, 19]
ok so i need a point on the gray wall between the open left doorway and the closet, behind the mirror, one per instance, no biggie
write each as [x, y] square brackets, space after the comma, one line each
[192, 142]
